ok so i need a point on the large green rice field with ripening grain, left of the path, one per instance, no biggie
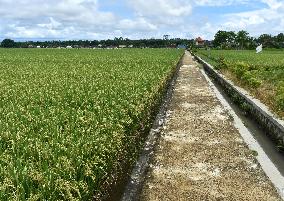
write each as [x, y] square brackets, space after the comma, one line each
[70, 118]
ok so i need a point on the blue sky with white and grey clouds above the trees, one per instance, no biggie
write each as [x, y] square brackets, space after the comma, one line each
[136, 19]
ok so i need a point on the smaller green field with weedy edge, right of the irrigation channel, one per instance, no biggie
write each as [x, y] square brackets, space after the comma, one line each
[262, 74]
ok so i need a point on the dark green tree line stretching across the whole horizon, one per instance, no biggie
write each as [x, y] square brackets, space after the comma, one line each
[222, 40]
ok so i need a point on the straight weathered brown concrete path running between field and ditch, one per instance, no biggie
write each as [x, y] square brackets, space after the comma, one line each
[201, 155]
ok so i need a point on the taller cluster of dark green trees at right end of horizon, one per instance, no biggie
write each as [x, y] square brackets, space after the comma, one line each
[242, 40]
